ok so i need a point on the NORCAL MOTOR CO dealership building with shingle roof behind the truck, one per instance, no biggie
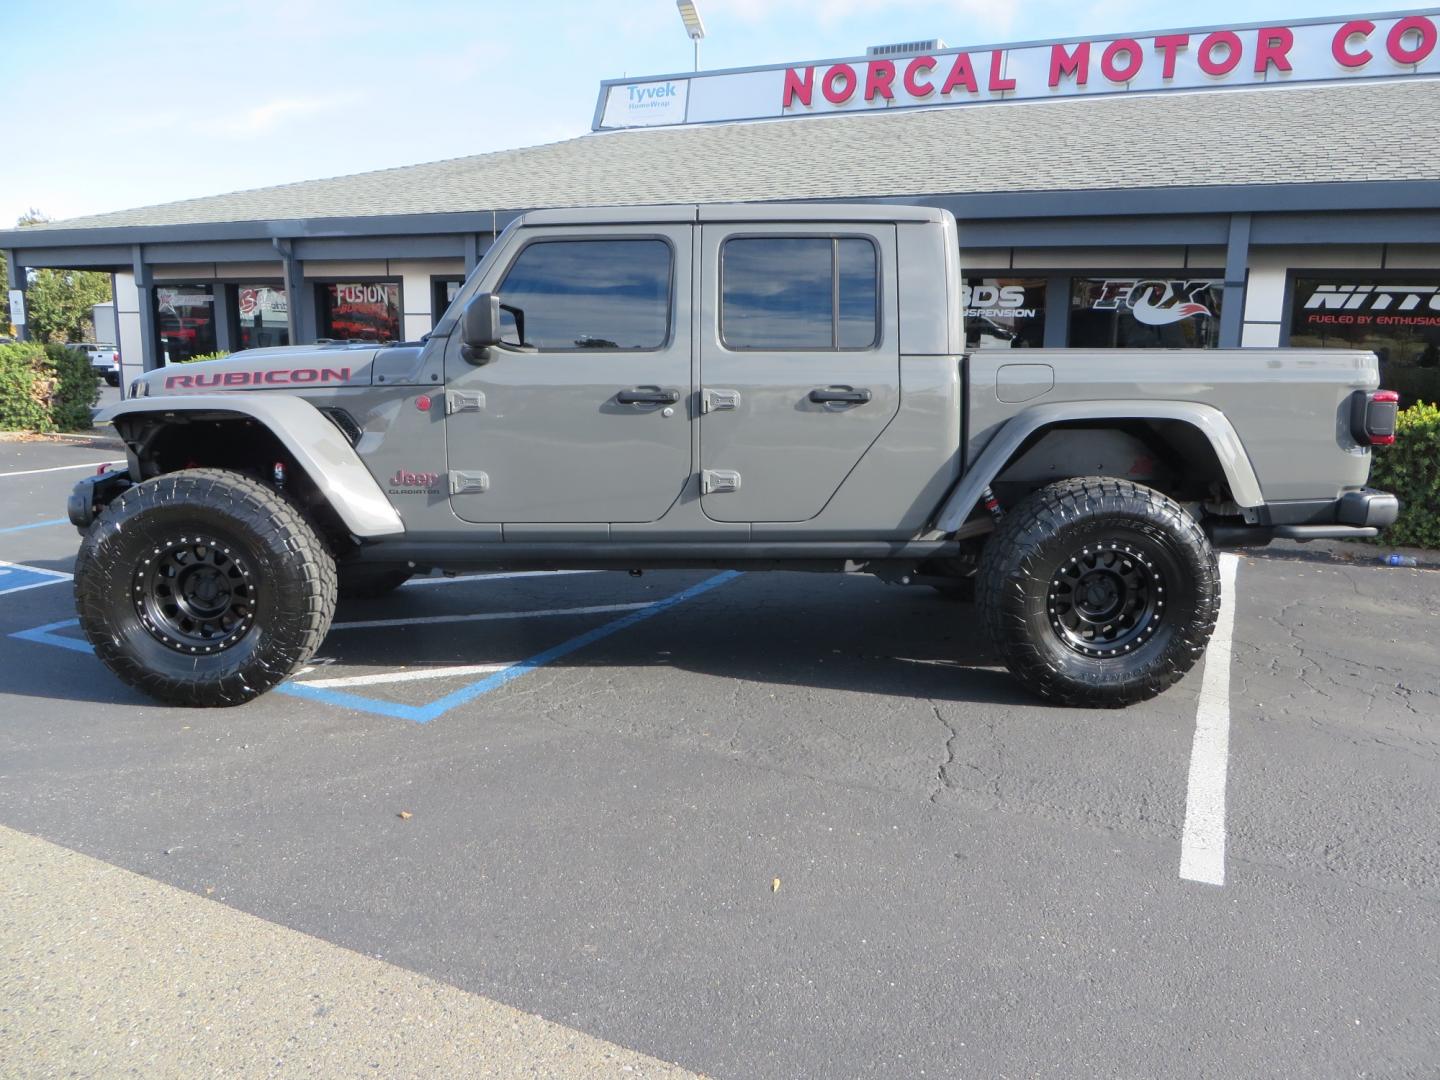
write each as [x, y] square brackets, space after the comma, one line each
[1238, 186]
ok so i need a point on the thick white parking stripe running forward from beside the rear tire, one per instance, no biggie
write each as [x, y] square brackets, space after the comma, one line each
[1203, 843]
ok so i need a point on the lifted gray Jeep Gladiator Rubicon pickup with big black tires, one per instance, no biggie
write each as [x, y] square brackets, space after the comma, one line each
[718, 387]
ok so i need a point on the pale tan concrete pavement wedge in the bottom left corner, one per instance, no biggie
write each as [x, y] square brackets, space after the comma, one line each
[110, 973]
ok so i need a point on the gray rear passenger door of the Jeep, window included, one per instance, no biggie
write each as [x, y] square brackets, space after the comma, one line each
[800, 362]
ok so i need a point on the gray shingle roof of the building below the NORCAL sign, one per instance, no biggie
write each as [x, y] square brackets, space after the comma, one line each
[1300, 135]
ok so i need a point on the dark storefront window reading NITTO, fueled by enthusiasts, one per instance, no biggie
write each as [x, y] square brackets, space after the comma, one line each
[1399, 320]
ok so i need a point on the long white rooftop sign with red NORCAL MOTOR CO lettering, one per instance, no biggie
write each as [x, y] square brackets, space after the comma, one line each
[1216, 58]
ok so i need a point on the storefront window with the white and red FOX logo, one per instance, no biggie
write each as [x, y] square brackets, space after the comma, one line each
[1146, 313]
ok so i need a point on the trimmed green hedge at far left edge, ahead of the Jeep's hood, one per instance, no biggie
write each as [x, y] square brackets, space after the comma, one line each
[47, 388]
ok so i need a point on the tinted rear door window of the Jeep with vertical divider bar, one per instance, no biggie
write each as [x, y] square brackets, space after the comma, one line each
[800, 293]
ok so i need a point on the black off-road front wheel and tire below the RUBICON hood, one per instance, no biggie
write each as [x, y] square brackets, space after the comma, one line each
[204, 588]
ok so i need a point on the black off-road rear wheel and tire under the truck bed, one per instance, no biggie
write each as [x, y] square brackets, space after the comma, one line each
[1099, 593]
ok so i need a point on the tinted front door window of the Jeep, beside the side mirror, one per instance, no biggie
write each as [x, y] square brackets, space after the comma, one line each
[590, 294]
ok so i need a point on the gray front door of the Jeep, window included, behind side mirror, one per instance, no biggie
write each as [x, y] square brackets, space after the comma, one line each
[584, 413]
